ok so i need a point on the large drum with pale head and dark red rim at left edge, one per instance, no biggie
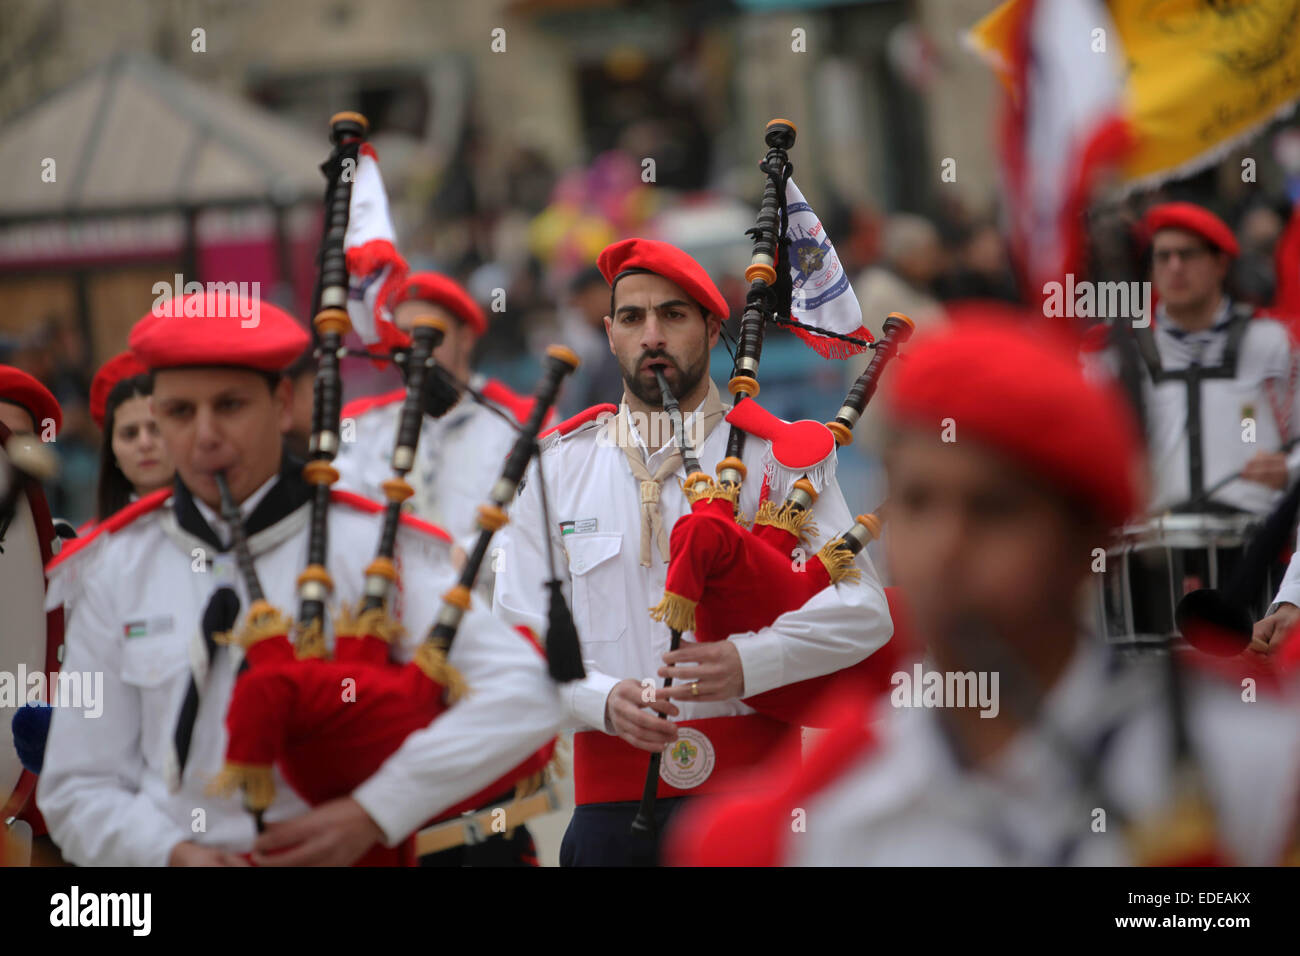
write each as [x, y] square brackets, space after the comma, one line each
[29, 638]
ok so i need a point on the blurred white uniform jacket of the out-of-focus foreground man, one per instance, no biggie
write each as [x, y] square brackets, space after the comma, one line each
[908, 802]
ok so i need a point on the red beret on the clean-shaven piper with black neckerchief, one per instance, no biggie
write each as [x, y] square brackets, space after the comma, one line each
[219, 331]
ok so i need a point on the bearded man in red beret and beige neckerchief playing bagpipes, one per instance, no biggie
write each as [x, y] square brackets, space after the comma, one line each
[613, 495]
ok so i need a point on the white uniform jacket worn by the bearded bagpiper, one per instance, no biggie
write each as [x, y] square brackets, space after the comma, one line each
[595, 496]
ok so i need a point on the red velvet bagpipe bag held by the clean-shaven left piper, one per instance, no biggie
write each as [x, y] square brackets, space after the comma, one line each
[331, 724]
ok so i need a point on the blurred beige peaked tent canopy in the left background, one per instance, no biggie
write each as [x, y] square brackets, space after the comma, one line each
[135, 136]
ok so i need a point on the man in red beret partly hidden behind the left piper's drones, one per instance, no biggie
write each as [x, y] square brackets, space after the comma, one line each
[462, 452]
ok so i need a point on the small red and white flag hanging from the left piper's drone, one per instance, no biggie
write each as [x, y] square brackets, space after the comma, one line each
[375, 266]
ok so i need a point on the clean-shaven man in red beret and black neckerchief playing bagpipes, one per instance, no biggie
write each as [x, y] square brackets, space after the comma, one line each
[112, 789]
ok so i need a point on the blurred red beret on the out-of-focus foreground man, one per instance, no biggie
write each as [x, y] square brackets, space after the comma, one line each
[1019, 390]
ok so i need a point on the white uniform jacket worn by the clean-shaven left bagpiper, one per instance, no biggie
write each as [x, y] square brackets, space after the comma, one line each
[141, 603]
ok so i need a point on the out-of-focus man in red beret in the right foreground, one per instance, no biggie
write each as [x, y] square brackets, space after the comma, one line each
[1069, 762]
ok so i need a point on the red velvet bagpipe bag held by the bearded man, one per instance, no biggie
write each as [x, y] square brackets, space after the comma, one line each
[744, 579]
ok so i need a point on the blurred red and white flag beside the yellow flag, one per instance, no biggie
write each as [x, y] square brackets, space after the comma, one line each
[1064, 123]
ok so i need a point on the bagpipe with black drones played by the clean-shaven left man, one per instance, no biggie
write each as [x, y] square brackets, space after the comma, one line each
[287, 710]
